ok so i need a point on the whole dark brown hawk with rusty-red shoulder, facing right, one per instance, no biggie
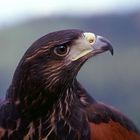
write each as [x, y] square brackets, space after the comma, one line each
[45, 101]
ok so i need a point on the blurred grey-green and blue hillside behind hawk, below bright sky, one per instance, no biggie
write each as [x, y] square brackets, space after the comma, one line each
[113, 80]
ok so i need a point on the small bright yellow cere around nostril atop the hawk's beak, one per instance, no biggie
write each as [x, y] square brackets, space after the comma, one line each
[90, 37]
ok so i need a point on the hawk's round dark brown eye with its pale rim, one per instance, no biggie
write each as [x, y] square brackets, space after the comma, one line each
[61, 50]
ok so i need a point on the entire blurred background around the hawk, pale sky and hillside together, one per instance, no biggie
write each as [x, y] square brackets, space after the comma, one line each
[112, 80]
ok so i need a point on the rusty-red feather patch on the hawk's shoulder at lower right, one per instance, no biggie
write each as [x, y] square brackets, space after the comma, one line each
[111, 131]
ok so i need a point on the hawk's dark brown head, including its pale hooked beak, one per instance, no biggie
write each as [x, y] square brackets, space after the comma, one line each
[53, 61]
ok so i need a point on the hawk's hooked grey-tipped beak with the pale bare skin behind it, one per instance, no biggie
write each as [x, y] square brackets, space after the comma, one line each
[90, 46]
